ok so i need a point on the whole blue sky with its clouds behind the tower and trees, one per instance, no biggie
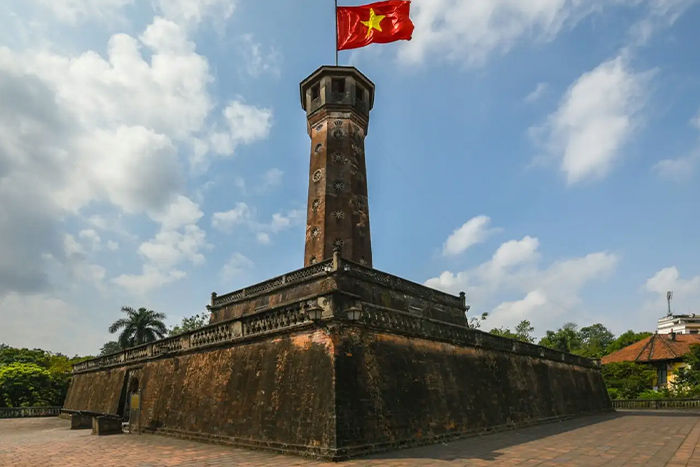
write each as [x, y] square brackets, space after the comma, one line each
[541, 156]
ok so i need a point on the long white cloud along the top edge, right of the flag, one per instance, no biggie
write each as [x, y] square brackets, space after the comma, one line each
[470, 31]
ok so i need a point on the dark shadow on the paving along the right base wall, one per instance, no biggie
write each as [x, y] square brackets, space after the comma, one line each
[486, 447]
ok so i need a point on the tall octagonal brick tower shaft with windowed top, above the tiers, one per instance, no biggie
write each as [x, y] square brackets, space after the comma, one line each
[337, 101]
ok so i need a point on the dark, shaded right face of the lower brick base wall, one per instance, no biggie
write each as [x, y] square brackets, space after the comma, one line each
[391, 390]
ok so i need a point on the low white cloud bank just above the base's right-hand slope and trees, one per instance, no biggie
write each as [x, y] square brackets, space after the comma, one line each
[550, 294]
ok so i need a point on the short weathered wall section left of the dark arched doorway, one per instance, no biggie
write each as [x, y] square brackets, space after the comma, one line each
[96, 392]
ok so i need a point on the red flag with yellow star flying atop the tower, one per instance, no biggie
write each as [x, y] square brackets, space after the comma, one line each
[380, 22]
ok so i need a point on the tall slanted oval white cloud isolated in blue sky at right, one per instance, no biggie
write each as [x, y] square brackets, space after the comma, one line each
[595, 119]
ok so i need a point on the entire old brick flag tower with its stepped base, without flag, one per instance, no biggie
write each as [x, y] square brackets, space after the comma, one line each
[337, 359]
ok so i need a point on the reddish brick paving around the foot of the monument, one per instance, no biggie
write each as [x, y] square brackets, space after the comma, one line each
[621, 439]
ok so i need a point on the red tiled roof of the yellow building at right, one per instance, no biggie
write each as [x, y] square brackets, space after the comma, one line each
[653, 348]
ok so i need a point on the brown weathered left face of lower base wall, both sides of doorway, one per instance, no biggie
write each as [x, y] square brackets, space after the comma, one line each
[277, 390]
